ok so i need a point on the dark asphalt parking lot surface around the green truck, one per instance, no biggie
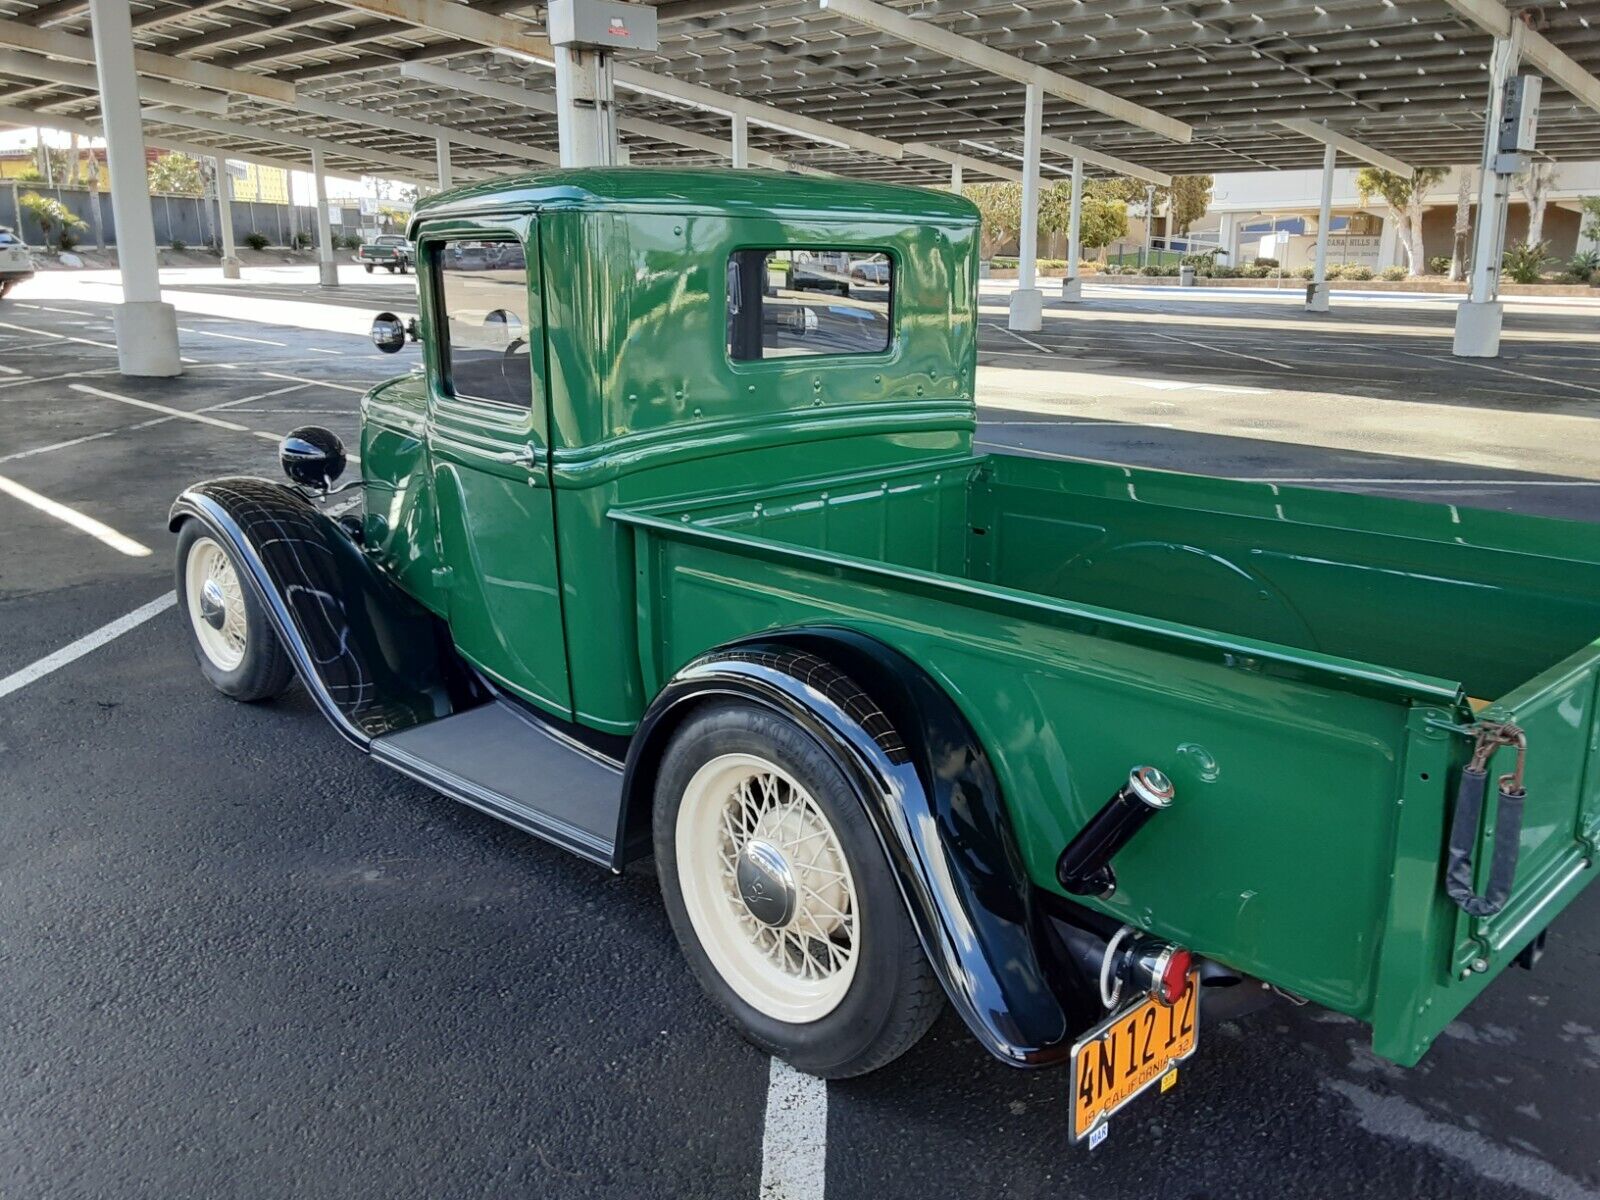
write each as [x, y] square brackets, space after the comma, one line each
[239, 959]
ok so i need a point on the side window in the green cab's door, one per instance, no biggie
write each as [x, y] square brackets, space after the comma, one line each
[484, 318]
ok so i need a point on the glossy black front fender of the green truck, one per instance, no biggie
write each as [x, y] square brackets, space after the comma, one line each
[370, 657]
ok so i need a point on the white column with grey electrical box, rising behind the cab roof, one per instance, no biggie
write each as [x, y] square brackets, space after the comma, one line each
[586, 34]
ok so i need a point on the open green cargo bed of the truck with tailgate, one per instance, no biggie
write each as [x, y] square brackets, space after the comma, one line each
[1302, 663]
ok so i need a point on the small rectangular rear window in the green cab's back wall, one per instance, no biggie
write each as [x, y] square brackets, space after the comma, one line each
[802, 302]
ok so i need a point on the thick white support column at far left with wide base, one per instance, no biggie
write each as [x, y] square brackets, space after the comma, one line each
[146, 327]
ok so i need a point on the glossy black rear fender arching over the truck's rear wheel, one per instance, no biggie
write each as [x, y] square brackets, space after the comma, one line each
[935, 802]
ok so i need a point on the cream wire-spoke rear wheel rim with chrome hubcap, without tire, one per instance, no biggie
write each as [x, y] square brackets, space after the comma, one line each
[769, 889]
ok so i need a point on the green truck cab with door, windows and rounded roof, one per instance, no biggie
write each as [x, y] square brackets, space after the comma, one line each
[639, 337]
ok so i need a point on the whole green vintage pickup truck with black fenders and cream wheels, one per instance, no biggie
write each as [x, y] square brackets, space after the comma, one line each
[663, 554]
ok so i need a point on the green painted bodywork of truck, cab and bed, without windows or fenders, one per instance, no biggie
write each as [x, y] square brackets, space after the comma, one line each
[1298, 662]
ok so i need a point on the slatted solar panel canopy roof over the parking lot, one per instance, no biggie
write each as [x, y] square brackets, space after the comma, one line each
[1406, 78]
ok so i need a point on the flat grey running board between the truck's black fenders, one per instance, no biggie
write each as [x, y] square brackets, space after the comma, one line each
[511, 766]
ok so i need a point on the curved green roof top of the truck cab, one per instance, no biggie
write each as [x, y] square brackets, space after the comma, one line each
[732, 193]
